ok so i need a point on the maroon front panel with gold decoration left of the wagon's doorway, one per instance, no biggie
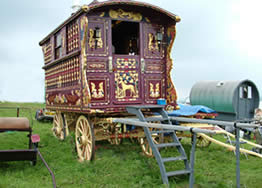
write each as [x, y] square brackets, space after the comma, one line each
[98, 77]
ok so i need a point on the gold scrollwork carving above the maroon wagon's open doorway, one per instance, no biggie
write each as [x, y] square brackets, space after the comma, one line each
[126, 15]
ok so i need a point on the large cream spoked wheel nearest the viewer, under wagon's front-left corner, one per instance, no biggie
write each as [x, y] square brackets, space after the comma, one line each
[85, 140]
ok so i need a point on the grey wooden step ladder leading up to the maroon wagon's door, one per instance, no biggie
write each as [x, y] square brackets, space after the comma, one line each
[157, 109]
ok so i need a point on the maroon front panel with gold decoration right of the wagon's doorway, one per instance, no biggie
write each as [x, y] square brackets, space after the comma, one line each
[153, 63]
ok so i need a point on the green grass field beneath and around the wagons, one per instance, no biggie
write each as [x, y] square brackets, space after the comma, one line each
[114, 166]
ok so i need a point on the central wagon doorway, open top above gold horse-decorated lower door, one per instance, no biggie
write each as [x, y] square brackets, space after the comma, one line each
[126, 62]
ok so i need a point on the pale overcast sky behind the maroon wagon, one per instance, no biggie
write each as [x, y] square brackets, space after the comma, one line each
[216, 40]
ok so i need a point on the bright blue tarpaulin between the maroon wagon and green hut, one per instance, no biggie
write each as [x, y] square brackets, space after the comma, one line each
[188, 110]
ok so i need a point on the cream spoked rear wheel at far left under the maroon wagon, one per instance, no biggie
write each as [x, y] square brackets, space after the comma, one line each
[59, 130]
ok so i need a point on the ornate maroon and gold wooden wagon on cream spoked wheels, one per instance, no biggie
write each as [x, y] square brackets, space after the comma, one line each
[106, 56]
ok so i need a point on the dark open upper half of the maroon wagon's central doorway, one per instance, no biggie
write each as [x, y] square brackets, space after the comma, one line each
[125, 37]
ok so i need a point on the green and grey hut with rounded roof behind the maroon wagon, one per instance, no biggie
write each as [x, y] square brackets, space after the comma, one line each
[233, 100]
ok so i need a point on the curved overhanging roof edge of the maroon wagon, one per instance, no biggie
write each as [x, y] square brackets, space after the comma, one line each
[95, 5]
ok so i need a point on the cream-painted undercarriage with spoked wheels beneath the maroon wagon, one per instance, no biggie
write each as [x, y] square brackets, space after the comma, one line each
[88, 130]
